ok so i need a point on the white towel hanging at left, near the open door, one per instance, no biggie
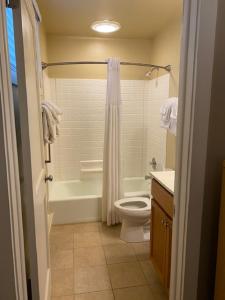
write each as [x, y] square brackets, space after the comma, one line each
[51, 116]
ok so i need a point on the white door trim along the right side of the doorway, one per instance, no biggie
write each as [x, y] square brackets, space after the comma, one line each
[195, 97]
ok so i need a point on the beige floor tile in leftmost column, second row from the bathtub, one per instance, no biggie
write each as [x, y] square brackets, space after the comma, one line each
[61, 241]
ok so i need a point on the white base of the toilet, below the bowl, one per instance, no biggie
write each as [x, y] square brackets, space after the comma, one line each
[133, 233]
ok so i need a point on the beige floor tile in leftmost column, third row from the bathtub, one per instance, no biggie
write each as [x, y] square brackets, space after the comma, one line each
[62, 259]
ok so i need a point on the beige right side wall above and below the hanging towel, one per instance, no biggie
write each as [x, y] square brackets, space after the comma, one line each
[166, 51]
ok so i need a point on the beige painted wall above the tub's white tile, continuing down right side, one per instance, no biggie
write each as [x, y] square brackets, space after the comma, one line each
[164, 49]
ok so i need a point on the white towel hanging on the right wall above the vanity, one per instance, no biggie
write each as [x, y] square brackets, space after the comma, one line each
[168, 113]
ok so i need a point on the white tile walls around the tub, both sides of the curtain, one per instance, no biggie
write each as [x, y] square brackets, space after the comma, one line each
[82, 127]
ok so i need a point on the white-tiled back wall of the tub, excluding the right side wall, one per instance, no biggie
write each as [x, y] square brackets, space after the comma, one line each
[82, 127]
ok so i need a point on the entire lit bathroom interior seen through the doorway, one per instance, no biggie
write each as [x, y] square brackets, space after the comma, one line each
[93, 256]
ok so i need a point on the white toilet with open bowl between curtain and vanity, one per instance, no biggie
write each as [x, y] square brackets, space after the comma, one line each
[134, 213]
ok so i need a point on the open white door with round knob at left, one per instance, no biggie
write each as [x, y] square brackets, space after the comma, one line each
[34, 192]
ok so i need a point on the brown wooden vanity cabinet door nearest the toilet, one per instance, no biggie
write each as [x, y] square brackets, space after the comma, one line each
[158, 238]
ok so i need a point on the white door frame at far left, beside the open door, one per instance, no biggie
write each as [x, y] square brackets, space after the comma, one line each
[12, 258]
